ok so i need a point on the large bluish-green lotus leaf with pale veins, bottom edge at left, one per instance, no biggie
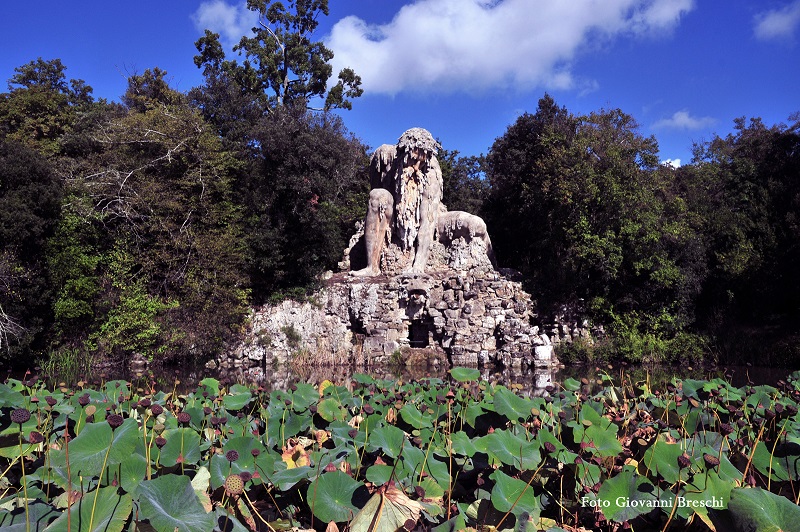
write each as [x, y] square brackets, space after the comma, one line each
[170, 503]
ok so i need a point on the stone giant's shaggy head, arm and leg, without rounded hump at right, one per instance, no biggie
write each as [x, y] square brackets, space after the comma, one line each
[405, 199]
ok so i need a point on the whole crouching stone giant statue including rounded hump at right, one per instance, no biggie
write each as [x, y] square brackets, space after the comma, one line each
[406, 211]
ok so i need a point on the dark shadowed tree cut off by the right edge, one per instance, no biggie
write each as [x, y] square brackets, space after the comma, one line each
[744, 188]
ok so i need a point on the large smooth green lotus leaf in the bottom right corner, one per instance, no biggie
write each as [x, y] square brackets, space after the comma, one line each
[758, 510]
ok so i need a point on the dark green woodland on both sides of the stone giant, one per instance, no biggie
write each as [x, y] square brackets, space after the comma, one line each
[150, 226]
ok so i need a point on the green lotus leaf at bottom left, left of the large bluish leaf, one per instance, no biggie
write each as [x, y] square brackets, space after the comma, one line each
[102, 510]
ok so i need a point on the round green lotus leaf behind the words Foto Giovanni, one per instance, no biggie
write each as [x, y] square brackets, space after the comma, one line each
[625, 496]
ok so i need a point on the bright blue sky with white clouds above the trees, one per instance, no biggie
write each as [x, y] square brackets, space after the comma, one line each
[465, 69]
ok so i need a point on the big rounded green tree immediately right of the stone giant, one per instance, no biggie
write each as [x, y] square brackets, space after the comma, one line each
[580, 205]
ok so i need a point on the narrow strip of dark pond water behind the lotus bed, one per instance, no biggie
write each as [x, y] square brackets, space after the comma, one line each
[531, 382]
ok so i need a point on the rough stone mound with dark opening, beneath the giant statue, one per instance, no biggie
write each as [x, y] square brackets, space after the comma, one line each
[368, 320]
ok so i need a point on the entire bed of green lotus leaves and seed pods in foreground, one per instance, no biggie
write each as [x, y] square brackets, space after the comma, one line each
[231, 455]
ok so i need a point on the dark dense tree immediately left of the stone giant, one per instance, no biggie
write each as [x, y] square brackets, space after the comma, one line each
[302, 196]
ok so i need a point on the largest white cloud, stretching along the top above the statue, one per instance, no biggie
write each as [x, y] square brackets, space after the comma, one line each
[474, 45]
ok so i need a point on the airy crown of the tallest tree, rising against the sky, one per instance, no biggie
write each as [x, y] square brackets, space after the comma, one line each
[282, 65]
